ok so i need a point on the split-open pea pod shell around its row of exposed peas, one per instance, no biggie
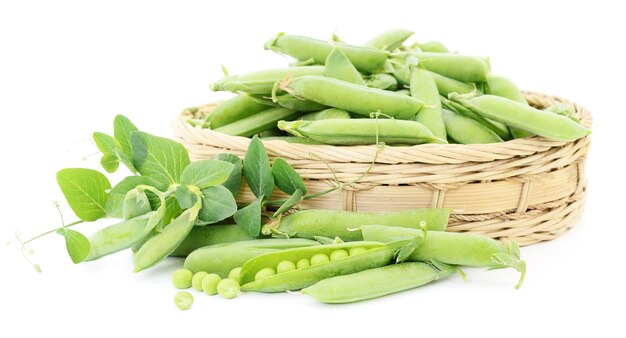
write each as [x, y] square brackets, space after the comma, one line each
[375, 255]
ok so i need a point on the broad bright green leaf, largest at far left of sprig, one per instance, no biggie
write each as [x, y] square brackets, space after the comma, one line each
[85, 191]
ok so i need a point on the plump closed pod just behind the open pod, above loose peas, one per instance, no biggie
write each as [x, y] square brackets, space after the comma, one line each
[222, 258]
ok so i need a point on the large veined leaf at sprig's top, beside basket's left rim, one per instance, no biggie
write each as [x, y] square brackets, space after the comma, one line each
[157, 157]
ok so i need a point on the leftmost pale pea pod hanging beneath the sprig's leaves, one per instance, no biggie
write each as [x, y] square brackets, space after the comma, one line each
[119, 237]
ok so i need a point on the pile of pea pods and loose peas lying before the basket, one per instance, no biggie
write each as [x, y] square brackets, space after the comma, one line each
[335, 256]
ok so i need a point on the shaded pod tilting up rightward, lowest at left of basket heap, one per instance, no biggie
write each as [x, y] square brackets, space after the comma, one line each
[259, 122]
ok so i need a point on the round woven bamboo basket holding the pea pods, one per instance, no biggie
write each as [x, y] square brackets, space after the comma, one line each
[528, 190]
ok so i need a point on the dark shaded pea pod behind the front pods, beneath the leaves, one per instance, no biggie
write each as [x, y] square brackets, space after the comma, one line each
[201, 236]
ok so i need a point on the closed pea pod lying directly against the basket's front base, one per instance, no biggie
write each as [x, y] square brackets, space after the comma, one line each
[345, 224]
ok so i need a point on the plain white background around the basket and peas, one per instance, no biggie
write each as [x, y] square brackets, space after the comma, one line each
[68, 67]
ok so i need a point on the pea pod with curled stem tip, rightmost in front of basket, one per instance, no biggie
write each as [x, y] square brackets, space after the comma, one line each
[453, 248]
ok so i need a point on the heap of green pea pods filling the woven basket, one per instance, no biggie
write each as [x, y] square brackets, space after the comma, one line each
[383, 91]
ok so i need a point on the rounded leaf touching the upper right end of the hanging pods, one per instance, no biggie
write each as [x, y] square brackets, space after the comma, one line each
[218, 204]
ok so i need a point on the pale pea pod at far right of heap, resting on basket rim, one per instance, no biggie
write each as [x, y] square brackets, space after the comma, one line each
[515, 114]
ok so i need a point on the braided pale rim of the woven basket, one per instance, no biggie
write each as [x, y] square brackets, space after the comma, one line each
[424, 153]
